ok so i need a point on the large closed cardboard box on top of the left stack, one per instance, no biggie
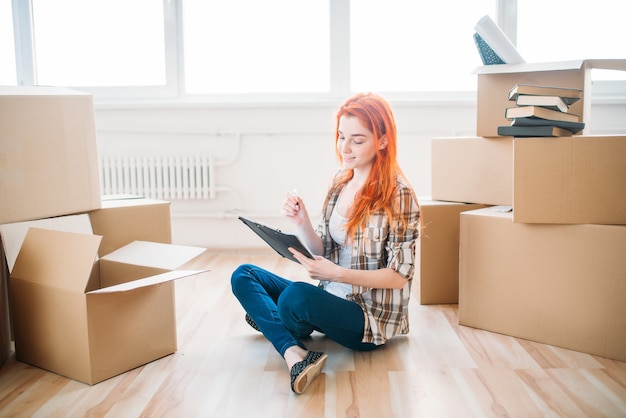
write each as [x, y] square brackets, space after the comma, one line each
[48, 157]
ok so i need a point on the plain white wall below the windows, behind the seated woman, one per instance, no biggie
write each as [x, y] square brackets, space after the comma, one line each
[265, 150]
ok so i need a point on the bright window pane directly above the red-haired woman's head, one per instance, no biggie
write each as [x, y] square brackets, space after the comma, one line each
[408, 45]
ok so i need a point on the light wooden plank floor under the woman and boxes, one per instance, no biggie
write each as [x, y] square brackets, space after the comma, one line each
[223, 368]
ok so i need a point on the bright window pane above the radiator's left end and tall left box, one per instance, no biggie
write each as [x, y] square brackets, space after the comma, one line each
[99, 43]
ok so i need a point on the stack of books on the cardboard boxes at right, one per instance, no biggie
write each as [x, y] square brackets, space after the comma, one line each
[542, 111]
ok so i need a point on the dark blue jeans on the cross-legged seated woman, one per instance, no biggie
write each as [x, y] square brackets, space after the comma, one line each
[287, 312]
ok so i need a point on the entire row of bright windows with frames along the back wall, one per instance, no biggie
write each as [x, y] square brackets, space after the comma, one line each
[247, 49]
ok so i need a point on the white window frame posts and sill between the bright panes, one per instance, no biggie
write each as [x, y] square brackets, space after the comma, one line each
[173, 90]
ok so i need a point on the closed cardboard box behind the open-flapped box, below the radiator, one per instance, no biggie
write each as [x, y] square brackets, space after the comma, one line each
[122, 220]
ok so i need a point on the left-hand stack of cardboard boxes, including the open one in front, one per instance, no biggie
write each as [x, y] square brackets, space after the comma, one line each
[86, 285]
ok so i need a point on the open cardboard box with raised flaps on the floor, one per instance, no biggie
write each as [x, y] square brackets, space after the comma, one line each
[90, 319]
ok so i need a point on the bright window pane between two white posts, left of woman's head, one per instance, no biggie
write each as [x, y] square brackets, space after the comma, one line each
[251, 46]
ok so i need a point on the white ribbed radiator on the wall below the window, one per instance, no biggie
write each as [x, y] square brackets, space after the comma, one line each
[159, 177]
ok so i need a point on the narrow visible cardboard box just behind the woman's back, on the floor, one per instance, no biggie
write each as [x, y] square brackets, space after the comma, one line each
[438, 254]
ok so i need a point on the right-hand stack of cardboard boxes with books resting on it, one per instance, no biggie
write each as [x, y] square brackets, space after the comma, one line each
[546, 262]
